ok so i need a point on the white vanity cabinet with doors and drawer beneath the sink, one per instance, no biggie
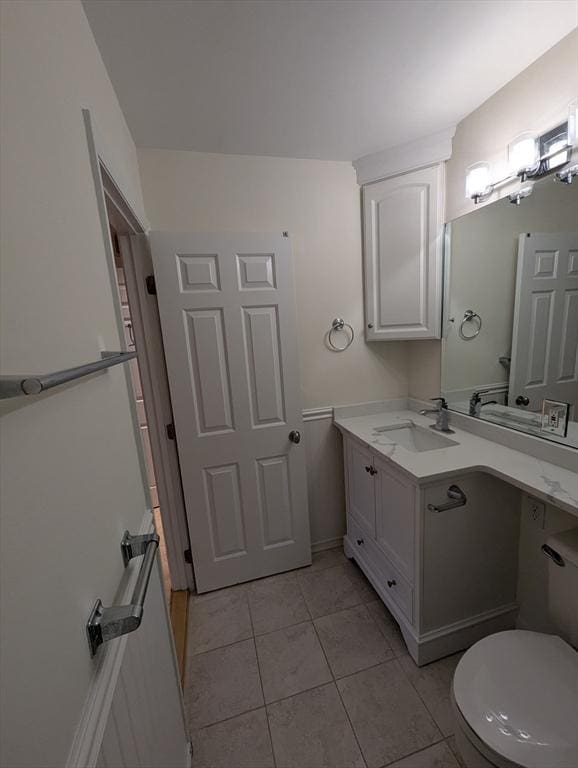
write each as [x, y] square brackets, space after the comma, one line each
[449, 578]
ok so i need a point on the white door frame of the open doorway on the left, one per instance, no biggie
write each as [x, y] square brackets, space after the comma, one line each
[114, 209]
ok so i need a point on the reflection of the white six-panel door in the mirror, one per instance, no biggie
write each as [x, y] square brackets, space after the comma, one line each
[545, 336]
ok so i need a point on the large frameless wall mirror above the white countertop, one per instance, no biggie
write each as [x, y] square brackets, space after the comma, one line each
[510, 343]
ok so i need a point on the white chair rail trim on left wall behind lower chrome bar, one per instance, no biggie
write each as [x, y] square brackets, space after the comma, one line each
[89, 733]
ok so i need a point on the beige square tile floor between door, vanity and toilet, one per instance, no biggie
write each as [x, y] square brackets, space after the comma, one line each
[309, 670]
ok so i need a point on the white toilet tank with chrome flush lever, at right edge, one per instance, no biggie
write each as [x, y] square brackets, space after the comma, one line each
[562, 549]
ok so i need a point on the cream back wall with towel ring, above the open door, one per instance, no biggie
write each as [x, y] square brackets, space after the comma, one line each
[318, 203]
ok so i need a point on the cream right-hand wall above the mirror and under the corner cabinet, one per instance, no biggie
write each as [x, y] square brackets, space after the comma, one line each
[534, 100]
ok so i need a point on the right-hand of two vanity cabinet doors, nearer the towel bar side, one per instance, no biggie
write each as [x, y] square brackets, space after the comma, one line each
[395, 513]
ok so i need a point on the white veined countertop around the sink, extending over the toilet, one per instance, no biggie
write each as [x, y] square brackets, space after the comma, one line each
[553, 484]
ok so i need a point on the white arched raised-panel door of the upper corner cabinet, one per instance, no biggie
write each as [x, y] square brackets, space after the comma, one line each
[403, 235]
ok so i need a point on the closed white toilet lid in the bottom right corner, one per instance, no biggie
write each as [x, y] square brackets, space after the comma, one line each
[518, 691]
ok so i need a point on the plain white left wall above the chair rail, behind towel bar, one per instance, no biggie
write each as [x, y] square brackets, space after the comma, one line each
[70, 479]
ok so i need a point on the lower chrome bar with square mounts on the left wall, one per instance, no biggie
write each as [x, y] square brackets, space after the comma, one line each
[105, 624]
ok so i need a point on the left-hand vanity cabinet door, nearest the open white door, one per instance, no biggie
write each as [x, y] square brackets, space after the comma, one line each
[361, 476]
